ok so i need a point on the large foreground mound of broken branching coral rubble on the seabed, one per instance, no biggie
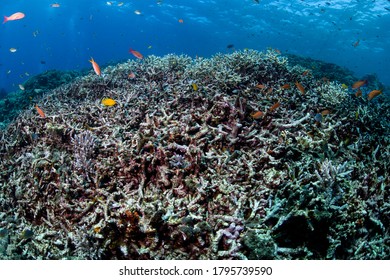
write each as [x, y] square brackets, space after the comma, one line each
[221, 158]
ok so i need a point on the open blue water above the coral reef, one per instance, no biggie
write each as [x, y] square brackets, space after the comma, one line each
[66, 37]
